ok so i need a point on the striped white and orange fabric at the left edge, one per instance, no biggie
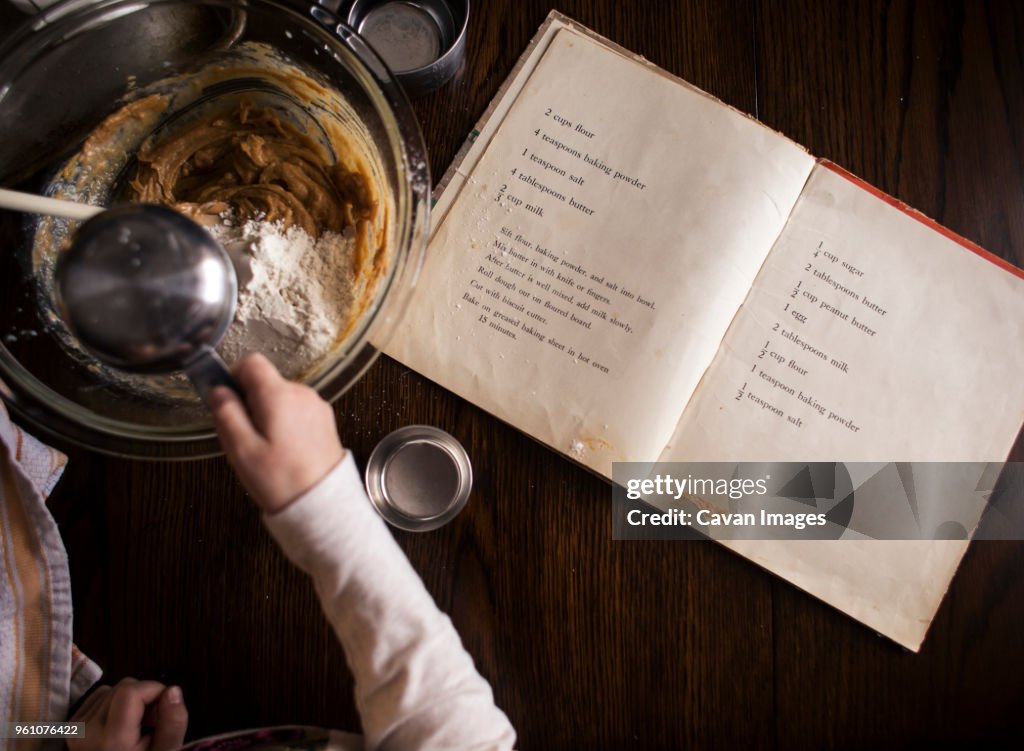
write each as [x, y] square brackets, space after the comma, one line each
[41, 672]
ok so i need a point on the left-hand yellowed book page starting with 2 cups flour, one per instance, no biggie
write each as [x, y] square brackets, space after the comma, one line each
[583, 281]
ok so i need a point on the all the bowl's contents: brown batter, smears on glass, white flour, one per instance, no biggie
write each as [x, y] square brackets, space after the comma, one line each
[283, 174]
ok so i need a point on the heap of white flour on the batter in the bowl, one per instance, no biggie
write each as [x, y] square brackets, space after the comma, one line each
[294, 293]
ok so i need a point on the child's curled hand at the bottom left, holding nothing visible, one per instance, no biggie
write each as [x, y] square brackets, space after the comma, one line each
[120, 719]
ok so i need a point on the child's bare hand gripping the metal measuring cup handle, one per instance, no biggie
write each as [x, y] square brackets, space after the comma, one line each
[285, 443]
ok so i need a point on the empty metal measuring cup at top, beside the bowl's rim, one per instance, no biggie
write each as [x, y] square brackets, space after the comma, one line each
[422, 41]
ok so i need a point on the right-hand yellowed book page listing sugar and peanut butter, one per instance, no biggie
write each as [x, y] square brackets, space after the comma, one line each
[869, 337]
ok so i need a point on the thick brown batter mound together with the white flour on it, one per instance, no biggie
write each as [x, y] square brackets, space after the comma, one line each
[287, 216]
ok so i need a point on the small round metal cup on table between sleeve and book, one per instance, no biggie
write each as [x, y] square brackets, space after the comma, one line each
[419, 478]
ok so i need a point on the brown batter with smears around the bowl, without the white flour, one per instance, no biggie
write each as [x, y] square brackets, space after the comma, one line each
[249, 137]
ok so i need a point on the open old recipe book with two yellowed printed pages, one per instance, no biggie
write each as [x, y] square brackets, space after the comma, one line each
[628, 270]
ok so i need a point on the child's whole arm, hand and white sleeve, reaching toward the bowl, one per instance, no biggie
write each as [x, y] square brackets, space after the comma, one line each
[416, 687]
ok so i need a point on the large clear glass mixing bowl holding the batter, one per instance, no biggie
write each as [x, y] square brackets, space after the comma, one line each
[68, 69]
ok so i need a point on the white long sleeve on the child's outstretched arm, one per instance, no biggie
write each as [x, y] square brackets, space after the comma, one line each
[416, 687]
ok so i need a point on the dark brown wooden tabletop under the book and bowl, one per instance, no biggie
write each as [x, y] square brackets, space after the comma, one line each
[590, 643]
